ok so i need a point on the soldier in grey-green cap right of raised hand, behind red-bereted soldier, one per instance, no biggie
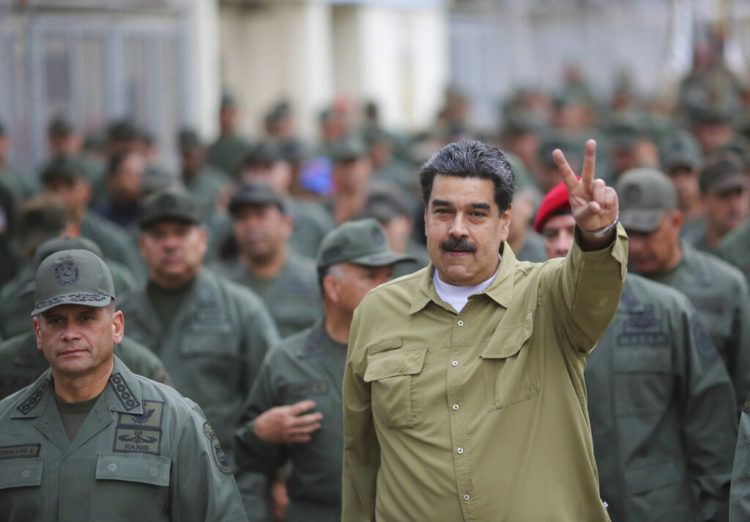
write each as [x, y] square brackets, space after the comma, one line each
[718, 291]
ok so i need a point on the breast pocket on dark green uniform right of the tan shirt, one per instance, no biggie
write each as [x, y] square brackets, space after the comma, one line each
[643, 380]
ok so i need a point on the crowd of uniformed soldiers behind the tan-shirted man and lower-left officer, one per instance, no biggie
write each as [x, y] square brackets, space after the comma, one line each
[238, 275]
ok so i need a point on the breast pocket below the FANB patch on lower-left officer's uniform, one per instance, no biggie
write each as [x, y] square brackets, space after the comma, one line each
[132, 487]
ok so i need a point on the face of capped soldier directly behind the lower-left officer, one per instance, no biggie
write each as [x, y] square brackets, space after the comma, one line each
[174, 251]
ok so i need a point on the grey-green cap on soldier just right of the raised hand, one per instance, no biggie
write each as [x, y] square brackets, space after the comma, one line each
[645, 195]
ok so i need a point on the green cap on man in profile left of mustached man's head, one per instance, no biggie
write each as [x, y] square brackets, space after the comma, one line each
[360, 242]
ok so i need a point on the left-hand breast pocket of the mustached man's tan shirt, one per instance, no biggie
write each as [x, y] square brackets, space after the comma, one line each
[392, 375]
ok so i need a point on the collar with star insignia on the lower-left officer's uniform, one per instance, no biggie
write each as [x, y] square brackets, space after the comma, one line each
[122, 394]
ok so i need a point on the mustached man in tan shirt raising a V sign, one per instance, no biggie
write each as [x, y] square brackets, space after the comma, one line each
[463, 388]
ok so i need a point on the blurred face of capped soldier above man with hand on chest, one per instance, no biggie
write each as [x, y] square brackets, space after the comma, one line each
[261, 231]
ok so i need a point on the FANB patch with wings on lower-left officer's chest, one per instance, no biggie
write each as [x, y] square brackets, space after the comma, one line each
[140, 433]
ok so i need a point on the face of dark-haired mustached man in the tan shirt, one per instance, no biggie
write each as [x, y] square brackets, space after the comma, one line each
[464, 229]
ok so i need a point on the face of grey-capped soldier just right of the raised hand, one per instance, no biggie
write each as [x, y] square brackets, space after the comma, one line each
[656, 251]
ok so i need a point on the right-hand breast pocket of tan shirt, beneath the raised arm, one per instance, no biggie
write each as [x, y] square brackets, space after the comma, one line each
[510, 367]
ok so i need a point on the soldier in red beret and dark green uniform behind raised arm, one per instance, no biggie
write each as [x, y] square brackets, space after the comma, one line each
[660, 401]
